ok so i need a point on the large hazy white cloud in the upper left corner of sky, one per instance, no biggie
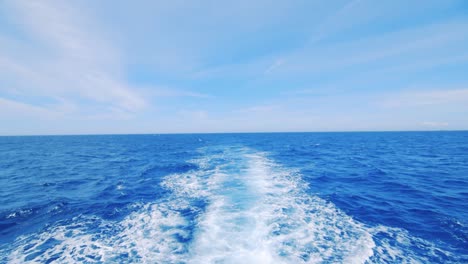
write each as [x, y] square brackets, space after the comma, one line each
[71, 58]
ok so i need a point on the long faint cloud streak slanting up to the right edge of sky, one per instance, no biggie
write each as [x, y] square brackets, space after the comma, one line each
[388, 50]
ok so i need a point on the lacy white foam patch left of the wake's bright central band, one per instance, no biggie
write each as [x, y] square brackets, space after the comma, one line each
[149, 235]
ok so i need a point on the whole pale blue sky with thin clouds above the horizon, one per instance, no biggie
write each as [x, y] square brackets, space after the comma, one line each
[150, 66]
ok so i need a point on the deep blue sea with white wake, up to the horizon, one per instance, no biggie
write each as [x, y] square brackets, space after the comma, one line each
[388, 197]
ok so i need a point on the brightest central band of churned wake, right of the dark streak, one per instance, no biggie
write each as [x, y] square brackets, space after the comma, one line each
[258, 213]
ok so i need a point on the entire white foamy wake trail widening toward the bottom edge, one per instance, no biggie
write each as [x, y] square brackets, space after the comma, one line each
[238, 207]
